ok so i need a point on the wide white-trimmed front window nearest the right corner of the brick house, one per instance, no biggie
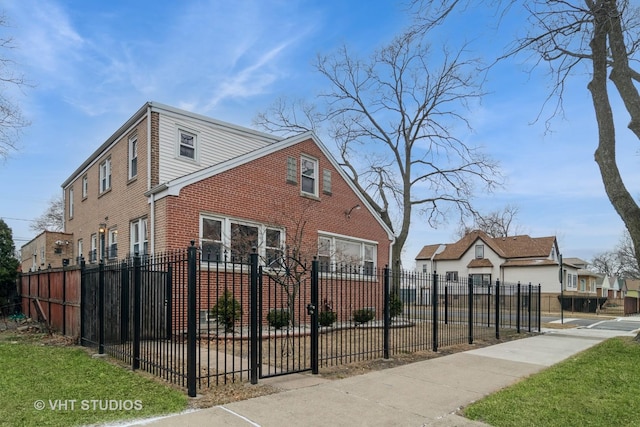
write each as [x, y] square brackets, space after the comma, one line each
[338, 253]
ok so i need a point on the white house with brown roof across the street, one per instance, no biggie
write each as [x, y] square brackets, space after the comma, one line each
[511, 259]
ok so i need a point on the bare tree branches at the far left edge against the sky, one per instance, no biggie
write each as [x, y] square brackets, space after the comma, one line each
[11, 119]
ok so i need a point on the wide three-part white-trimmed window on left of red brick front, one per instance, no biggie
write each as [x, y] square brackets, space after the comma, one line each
[229, 239]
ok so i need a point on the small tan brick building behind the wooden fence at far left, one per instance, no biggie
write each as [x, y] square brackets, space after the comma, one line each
[48, 249]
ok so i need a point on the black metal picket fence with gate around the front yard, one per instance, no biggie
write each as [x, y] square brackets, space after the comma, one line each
[198, 322]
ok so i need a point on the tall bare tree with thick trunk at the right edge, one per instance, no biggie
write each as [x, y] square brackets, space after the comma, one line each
[571, 36]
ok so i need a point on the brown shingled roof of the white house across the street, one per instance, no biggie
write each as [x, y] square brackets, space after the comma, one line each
[510, 248]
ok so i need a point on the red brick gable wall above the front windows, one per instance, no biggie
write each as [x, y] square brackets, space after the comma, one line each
[258, 192]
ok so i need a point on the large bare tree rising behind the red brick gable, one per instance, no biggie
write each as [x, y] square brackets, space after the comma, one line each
[398, 121]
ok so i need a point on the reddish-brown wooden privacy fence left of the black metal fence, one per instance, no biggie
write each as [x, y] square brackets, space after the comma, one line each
[53, 296]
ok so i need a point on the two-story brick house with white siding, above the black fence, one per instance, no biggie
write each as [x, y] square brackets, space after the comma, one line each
[167, 177]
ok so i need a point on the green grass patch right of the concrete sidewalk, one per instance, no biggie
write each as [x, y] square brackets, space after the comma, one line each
[599, 387]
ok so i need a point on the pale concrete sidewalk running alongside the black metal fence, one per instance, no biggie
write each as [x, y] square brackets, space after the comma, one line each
[426, 393]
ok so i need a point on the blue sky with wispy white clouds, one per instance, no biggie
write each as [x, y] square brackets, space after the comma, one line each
[93, 64]
